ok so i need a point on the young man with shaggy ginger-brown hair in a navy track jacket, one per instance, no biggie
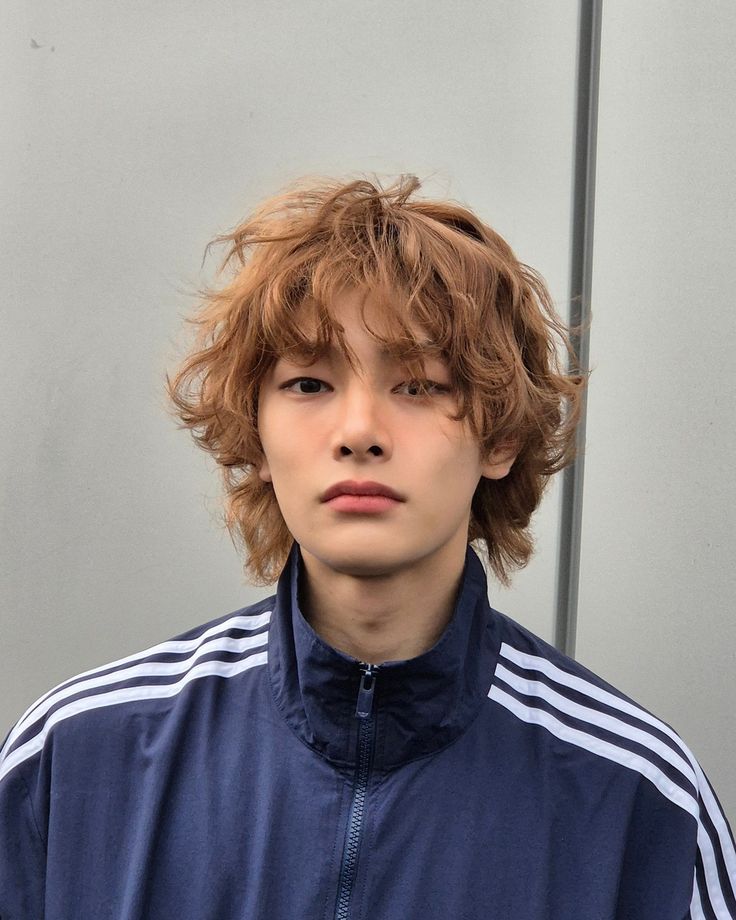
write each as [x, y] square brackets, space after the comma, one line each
[378, 380]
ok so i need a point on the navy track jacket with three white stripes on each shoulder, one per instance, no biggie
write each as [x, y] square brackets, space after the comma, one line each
[248, 770]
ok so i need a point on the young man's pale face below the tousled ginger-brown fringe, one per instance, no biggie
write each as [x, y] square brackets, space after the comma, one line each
[327, 423]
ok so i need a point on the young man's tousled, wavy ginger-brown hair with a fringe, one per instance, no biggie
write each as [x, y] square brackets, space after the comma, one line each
[439, 268]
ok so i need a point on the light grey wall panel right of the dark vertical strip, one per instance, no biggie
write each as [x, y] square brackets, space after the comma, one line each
[658, 581]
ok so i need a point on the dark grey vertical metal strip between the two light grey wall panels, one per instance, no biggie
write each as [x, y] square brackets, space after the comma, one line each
[583, 206]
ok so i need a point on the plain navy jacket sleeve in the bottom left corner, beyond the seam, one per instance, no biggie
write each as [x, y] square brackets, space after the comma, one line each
[22, 850]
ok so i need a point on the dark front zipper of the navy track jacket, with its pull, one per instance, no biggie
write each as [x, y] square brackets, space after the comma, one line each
[366, 736]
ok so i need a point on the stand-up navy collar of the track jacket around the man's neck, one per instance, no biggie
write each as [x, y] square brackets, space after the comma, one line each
[421, 705]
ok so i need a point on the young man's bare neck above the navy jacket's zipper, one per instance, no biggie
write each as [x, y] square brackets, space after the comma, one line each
[380, 618]
